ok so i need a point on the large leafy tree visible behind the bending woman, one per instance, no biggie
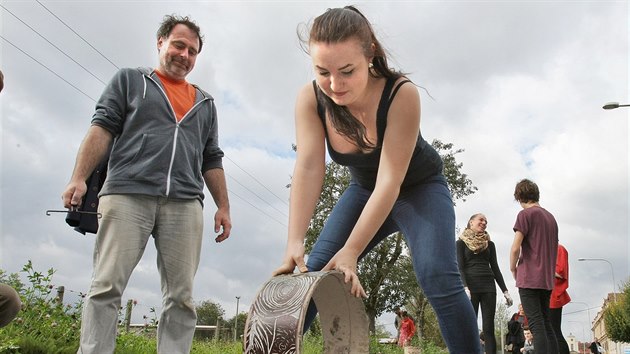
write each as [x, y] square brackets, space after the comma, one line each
[386, 272]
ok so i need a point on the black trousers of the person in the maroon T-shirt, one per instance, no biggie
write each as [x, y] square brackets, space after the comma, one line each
[536, 306]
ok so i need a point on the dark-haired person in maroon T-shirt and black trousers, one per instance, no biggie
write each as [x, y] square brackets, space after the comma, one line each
[533, 263]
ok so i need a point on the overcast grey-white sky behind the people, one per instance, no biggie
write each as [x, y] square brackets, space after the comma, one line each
[518, 84]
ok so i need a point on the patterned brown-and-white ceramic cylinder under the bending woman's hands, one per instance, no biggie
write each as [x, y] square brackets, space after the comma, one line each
[276, 318]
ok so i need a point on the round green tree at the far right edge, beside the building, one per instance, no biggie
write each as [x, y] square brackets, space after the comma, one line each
[617, 317]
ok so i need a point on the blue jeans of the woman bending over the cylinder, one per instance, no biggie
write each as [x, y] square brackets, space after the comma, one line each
[425, 215]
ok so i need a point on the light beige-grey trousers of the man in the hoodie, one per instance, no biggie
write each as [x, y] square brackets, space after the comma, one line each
[128, 222]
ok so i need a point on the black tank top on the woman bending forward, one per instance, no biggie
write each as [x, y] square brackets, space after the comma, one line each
[425, 161]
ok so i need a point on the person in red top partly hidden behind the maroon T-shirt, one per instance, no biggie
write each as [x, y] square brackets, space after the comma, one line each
[560, 297]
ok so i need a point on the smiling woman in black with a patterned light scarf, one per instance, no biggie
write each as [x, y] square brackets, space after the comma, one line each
[477, 260]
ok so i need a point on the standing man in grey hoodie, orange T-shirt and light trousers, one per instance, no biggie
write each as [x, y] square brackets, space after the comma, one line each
[163, 138]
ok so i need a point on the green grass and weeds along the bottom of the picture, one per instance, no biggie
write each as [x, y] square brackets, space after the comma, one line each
[44, 326]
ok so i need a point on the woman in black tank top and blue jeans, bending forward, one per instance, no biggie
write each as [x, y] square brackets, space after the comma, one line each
[369, 118]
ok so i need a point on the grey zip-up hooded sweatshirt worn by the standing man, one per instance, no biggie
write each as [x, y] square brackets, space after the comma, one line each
[152, 153]
